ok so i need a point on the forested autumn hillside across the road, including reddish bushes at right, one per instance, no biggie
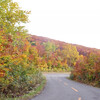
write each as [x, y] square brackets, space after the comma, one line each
[83, 62]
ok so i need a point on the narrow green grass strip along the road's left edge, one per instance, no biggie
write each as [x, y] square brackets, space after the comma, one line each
[38, 89]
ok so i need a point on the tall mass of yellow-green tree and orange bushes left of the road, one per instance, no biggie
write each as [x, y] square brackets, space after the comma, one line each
[18, 73]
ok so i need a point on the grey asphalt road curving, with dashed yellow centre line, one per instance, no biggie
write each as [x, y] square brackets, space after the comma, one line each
[60, 88]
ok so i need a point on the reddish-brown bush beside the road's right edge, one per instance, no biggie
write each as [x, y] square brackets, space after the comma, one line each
[87, 69]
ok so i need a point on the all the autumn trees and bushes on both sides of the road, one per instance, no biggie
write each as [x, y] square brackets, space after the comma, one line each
[24, 56]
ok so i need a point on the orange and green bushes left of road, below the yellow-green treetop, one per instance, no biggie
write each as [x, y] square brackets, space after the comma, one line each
[18, 73]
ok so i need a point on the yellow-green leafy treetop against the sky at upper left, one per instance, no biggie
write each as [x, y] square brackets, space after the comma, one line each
[11, 16]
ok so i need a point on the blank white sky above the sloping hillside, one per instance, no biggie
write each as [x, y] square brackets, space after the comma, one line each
[72, 21]
